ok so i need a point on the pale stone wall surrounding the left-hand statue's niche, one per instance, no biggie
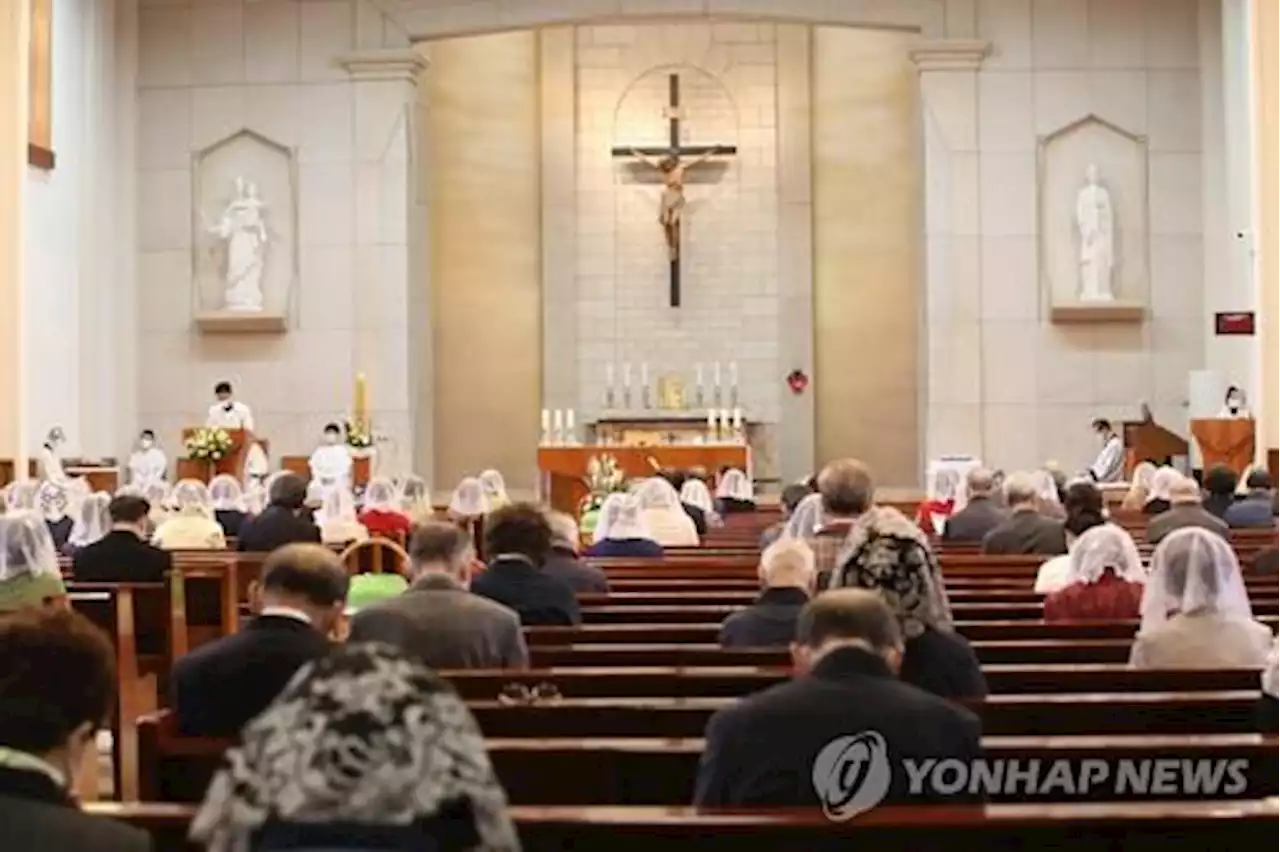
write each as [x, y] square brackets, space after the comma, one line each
[208, 70]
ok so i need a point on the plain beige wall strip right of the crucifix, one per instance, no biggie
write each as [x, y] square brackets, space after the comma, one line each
[867, 239]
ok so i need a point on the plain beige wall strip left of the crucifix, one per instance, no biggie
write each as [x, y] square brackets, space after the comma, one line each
[486, 273]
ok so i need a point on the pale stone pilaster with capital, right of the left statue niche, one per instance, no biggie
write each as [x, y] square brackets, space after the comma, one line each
[388, 332]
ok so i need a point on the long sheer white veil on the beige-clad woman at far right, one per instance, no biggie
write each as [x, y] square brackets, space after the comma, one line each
[1194, 570]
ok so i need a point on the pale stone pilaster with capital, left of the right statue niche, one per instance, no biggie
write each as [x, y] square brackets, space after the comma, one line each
[953, 395]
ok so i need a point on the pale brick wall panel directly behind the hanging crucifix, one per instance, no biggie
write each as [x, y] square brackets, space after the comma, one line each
[730, 288]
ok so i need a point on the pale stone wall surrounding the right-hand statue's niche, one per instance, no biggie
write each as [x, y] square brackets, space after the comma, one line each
[1003, 379]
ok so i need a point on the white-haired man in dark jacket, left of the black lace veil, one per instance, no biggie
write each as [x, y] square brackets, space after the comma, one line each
[788, 572]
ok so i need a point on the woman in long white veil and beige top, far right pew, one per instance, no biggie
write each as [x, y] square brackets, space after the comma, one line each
[1196, 611]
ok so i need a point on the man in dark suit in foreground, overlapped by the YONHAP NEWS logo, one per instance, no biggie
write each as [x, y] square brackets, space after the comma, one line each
[762, 752]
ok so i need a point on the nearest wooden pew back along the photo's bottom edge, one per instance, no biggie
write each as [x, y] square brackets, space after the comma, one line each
[1081, 827]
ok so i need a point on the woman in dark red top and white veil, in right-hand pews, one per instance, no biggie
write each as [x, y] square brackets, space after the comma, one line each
[1105, 579]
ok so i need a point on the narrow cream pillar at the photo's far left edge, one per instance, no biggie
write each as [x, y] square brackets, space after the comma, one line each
[13, 171]
